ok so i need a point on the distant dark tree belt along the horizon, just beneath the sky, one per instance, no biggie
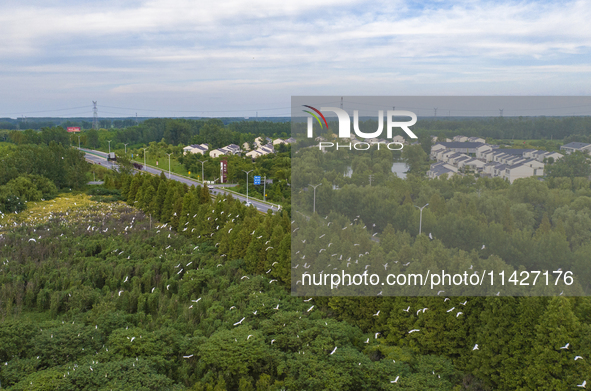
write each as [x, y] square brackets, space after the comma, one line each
[224, 131]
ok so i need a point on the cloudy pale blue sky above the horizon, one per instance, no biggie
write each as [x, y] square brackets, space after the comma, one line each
[237, 58]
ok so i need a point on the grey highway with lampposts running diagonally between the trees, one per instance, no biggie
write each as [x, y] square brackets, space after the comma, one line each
[99, 157]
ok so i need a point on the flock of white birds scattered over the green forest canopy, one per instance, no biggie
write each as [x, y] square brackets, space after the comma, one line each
[35, 221]
